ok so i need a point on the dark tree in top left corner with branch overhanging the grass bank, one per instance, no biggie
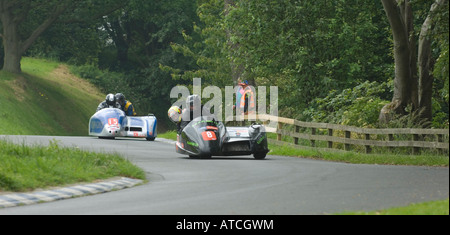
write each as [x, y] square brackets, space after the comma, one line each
[18, 18]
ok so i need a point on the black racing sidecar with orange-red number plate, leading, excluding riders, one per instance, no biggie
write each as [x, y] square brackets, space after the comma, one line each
[204, 137]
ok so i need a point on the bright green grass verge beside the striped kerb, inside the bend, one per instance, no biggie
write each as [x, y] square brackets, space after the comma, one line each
[25, 168]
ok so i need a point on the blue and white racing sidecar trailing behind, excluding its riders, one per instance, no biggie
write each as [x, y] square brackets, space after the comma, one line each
[111, 122]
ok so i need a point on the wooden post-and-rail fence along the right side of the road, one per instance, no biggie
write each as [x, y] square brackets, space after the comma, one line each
[292, 131]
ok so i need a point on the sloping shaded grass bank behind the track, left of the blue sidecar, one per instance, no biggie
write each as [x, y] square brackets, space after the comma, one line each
[46, 99]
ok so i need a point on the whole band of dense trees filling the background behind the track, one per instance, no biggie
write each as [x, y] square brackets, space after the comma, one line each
[332, 60]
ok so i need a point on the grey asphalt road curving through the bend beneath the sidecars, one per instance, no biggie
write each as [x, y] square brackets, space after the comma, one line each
[242, 185]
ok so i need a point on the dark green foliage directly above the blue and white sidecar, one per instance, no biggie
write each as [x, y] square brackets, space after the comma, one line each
[140, 39]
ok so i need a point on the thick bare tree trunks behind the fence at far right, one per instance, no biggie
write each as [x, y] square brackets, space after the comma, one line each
[411, 89]
